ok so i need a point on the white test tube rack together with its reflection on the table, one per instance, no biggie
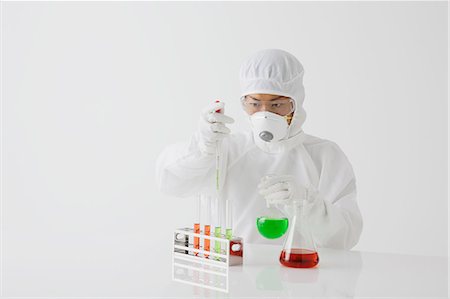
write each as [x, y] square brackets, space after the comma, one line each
[198, 267]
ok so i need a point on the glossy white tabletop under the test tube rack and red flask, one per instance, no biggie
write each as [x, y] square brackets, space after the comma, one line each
[148, 273]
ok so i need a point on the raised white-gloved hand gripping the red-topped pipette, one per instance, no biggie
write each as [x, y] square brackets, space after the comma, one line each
[212, 127]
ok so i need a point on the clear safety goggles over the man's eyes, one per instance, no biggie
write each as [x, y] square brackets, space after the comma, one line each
[281, 107]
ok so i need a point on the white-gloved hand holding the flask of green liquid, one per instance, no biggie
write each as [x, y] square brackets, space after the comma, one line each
[284, 193]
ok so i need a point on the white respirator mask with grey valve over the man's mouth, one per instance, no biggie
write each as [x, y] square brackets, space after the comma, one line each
[268, 126]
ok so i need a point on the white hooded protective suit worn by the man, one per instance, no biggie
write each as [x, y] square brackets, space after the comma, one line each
[335, 219]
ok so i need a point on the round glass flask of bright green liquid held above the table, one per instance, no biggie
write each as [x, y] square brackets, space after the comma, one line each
[273, 225]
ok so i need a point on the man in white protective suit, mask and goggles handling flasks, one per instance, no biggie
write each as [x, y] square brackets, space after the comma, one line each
[275, 163]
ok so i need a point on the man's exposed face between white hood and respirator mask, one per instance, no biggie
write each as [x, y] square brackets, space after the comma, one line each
[280, 105]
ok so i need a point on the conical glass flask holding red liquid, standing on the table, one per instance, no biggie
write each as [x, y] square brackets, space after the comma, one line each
[299, 250]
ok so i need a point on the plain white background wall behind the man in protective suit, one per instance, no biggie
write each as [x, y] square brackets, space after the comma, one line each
[92, 92]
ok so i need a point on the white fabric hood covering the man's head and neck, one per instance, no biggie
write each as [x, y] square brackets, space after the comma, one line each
[274, 71]
